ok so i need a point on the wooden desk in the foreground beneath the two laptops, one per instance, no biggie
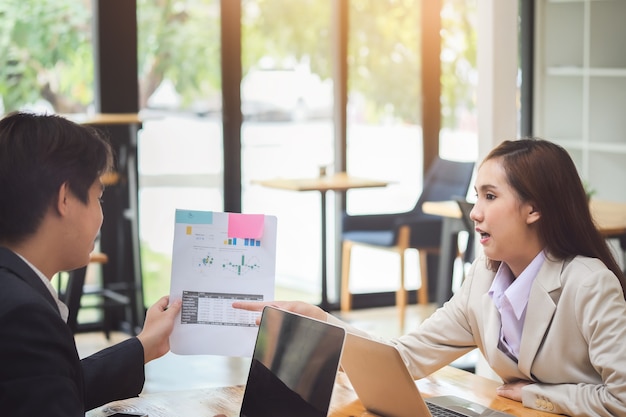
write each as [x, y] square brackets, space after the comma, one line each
[210, 402]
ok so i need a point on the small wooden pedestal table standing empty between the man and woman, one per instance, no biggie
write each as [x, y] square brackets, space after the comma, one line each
[339, 182]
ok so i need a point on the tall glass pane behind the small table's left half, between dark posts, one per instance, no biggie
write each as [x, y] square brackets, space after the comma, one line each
[287, 105]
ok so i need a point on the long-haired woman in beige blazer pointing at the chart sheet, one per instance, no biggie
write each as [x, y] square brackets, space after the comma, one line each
[545, 304]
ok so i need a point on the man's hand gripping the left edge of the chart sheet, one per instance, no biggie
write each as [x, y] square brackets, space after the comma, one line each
[155, 335]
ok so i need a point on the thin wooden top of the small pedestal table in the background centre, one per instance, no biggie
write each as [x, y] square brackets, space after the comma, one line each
[340, 181]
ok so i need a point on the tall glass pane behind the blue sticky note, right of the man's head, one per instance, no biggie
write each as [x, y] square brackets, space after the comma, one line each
[180, 145]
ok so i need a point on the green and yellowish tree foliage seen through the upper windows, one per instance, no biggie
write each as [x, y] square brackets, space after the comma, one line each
[47, 53]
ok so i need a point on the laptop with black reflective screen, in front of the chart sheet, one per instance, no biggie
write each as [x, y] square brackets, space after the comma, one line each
[294, 366]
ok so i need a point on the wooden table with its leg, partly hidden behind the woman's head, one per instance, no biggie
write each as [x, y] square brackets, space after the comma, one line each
[610, 218]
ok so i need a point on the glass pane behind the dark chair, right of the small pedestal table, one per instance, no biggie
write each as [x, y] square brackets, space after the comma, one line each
[384, 136]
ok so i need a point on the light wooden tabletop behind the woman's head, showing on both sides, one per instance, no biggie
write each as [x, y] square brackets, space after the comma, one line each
[610, 216]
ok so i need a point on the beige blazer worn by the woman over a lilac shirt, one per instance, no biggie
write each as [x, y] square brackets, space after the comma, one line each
[572, 346]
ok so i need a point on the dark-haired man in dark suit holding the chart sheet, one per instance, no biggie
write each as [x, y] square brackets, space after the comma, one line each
[50, 215]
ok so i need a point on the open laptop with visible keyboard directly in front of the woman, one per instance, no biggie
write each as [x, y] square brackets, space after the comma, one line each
[384, 385]
